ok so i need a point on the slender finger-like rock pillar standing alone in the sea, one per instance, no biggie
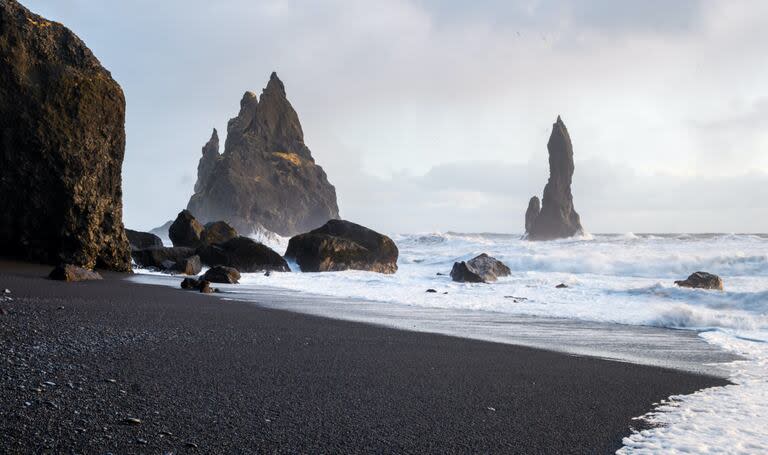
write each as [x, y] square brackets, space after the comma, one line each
[557, 218]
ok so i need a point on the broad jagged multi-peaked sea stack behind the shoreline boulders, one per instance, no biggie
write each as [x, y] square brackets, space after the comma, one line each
[266, 179]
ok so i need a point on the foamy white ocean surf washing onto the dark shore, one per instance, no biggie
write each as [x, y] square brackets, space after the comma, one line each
[621, 302]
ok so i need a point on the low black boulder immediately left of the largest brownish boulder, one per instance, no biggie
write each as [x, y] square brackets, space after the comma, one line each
[244, 254]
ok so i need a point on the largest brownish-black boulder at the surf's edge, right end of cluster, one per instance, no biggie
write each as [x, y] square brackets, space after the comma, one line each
[343, 245]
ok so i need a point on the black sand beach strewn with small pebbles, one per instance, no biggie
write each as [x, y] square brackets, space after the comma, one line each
[205, 376]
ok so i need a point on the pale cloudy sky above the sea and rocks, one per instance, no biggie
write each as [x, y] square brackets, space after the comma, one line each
[433, 115]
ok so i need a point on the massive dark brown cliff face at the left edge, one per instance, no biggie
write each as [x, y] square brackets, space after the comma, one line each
[62, 141]
